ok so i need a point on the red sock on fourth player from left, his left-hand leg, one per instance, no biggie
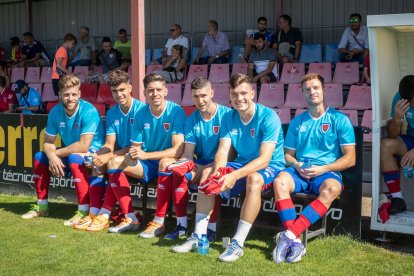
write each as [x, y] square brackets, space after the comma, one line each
[180, 195]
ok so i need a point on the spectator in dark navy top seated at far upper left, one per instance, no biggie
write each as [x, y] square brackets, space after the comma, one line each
[34, 54]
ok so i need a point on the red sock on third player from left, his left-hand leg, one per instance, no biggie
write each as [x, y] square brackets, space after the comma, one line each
[120, 186]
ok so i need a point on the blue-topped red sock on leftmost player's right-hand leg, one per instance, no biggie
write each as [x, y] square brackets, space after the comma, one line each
[80, 178]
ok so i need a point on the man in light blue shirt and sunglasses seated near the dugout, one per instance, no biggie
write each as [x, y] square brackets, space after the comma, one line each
[354, 42]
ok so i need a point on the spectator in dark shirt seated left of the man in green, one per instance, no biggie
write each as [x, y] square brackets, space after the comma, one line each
[110, 59]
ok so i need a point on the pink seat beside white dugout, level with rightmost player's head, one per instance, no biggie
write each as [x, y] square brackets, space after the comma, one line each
[359, 98]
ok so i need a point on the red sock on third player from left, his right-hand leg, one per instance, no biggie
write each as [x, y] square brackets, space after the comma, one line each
[164, 191]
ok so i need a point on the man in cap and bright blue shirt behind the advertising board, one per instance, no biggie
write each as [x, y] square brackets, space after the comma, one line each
[30, 101]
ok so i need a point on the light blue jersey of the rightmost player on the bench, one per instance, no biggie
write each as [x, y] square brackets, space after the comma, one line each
[320, 140]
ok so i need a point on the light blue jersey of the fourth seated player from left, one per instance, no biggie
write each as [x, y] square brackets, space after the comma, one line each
[204, 134]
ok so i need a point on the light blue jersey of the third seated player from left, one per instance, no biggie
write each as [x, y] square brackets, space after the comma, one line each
[155, 132]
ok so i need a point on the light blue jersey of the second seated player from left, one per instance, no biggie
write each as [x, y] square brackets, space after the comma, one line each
[120, 124]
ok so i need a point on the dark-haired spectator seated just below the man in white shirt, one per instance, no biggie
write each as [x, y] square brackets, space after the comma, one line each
[174, 68]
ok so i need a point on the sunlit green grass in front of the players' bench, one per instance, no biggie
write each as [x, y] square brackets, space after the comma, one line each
[26, 247]
